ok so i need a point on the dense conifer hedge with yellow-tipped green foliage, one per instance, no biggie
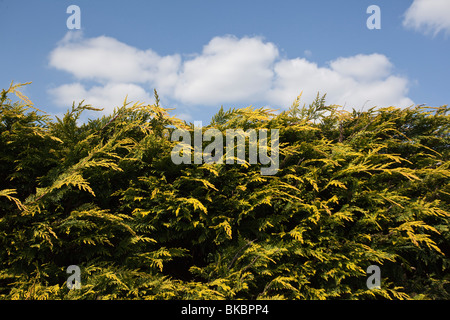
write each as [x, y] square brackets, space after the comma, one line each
[353, 189]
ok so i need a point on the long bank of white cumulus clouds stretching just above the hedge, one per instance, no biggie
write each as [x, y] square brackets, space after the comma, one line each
[228, 70]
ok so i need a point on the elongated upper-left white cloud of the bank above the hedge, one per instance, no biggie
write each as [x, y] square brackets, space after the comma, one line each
[105, 59]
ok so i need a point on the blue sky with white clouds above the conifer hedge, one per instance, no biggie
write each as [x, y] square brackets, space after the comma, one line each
[202, 54]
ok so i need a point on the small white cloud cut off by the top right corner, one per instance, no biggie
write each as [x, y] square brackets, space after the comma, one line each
[428, 16]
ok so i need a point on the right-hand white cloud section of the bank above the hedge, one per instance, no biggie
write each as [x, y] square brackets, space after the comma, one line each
[353, 82]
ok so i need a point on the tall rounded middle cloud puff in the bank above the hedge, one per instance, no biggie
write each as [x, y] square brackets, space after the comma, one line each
[228, 70]
